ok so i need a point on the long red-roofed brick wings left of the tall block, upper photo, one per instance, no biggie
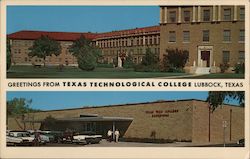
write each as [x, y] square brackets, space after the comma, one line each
[115, 46]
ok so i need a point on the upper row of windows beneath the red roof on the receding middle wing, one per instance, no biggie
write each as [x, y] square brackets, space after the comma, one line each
[150, 40]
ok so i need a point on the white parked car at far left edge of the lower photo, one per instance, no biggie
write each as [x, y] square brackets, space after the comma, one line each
[20, 138]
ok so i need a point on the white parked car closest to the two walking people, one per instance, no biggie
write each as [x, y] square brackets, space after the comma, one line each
[83, 138]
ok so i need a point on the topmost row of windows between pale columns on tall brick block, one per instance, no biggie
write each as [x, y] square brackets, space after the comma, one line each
[206, 15]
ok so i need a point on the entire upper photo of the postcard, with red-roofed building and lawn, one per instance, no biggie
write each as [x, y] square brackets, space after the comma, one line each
[126, 42]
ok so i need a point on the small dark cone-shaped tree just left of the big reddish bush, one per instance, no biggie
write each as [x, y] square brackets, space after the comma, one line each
[150, 58]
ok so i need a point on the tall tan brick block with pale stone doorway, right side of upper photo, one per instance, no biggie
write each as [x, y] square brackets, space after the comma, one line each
[213, 35]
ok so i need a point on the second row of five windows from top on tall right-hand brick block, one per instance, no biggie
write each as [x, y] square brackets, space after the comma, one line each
[227, 37]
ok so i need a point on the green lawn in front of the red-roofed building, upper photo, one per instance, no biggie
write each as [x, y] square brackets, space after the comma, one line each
[74, 72]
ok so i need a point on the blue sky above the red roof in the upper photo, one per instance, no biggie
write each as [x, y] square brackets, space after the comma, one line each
[80, 18]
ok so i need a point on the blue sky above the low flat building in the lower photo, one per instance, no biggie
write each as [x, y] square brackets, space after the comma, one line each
[50, 100]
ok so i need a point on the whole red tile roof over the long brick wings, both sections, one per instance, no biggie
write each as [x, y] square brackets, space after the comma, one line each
[71, 36]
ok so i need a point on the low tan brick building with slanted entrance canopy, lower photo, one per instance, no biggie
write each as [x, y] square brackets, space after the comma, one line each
[181, 120]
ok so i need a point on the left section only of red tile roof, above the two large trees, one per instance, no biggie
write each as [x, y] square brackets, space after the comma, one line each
[60, 36]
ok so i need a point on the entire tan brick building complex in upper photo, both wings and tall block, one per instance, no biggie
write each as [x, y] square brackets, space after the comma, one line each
[213, 35]
